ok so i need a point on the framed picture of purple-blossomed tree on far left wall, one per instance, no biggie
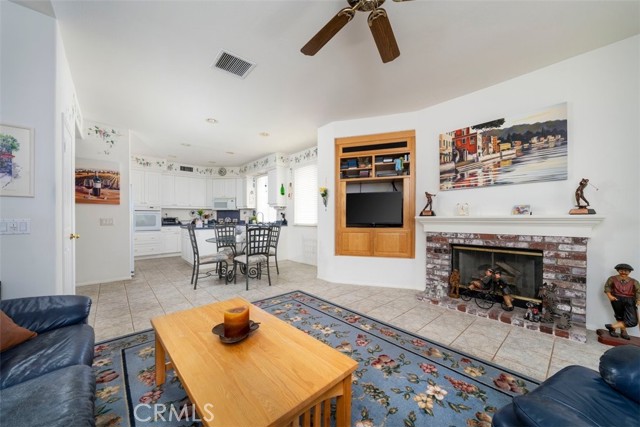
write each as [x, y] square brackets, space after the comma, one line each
[16, 161]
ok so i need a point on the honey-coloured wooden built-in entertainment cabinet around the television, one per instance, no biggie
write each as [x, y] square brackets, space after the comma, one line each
[368, 164]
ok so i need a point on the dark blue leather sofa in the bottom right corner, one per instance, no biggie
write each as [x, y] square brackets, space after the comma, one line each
[578, 396]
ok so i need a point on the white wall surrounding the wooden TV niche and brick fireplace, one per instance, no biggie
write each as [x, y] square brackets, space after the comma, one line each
[602, 90]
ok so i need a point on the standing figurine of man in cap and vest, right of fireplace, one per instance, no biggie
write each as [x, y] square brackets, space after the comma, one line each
[624, 294]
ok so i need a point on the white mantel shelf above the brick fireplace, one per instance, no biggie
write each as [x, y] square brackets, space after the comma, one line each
[531, 225]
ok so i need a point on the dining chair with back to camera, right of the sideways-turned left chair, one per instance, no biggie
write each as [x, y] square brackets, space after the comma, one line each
[256, 254]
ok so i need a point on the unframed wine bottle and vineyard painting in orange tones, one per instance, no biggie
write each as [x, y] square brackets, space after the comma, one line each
[97, 182]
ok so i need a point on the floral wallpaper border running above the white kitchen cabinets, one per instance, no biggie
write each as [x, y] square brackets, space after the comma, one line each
[253, 168]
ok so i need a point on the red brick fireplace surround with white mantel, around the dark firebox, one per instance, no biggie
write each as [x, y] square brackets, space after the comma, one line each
[564, 262]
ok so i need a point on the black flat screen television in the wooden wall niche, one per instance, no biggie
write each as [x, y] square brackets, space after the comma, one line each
[379, 209]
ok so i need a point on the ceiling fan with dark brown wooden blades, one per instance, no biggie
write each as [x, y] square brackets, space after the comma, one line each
[378, 23]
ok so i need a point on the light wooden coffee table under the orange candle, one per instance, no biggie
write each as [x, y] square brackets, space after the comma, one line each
[269, 379]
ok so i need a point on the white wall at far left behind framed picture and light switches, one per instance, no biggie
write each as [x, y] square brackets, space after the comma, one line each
[28, 99]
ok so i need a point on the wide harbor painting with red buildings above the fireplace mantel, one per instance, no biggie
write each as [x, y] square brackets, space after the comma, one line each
[528, 148]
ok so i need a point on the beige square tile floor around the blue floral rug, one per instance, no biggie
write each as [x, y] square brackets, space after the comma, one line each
[162, 286]
